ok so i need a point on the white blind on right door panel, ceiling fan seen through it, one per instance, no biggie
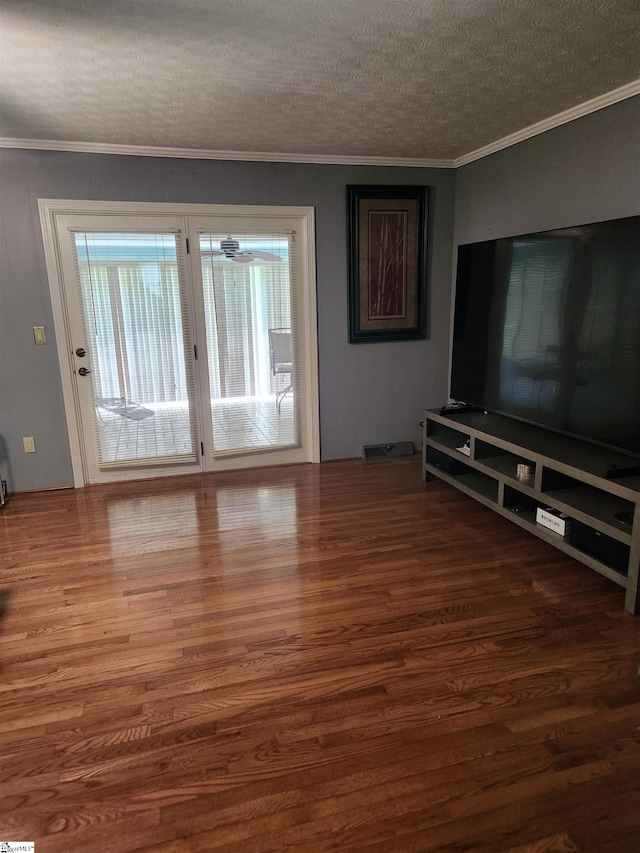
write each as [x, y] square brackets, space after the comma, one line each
[249, 288]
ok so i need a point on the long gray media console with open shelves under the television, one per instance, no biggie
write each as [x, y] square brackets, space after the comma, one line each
[514, 468]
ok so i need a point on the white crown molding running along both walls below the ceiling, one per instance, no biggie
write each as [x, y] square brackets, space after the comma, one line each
[608, 99]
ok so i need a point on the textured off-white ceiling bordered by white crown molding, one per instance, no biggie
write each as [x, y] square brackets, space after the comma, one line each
[419, 79]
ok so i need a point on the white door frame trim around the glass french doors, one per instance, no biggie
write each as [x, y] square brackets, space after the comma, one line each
[50, 209]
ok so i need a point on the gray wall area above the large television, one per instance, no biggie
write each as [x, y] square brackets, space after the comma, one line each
[585, 171]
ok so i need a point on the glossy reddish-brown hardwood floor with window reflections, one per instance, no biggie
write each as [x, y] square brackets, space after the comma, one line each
[311, 658]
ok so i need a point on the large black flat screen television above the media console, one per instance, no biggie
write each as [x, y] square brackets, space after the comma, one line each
[547, 330]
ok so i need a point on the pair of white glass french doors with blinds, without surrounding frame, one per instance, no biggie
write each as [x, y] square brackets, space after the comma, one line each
[183, 334]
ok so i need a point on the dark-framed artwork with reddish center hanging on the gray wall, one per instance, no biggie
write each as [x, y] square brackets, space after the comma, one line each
[387, 245]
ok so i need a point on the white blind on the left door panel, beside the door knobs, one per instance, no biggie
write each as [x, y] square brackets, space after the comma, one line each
[135, 310]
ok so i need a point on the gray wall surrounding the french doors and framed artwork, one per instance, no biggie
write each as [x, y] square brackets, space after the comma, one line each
[369, 393]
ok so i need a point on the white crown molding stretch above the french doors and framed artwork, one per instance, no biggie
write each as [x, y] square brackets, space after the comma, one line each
[206, 154]
